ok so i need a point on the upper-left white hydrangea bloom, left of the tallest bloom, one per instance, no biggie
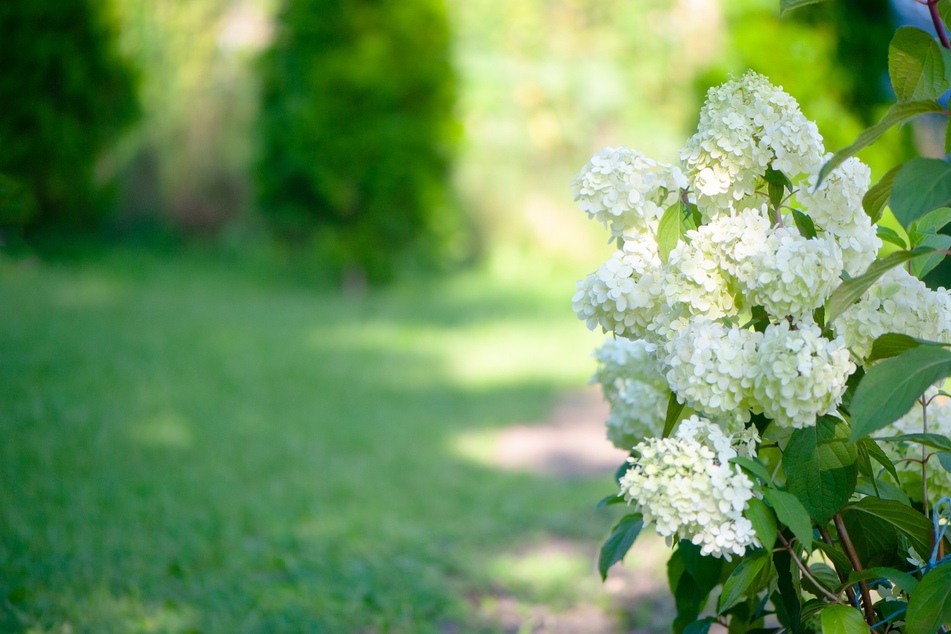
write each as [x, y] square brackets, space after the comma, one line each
[626, 191]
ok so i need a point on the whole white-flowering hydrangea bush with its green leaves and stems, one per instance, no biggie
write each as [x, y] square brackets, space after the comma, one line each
[776, 382]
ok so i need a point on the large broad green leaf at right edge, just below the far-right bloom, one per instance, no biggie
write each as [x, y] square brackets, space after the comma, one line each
[892, 386]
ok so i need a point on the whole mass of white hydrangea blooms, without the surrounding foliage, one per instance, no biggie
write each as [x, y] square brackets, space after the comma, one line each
[728, 304]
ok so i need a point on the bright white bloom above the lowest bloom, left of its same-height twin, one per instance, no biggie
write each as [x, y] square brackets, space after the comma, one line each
[711, 367]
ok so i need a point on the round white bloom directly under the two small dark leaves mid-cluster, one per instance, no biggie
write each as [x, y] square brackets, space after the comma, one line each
[788, 274]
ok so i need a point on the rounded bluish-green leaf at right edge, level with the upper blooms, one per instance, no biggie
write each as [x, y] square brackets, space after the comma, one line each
[922, 185]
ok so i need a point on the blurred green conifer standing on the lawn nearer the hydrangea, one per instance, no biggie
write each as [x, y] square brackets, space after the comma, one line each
[358, 132]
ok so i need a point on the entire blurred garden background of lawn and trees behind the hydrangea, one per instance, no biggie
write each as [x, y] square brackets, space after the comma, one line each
[285, 331]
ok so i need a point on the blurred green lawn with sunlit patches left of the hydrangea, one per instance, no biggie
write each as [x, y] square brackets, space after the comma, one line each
[186, 448]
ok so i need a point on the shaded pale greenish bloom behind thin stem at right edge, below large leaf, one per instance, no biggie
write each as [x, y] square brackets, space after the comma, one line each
[939, 422]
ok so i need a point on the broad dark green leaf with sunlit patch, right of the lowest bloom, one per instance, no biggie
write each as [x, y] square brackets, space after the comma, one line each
[820, 468]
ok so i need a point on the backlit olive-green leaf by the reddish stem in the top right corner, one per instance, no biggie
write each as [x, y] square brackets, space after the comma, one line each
[915, 66]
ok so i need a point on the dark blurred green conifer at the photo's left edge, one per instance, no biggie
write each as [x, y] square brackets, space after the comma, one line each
[66, 96]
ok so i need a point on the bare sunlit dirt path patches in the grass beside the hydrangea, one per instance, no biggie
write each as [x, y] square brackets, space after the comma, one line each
[571, 443]
